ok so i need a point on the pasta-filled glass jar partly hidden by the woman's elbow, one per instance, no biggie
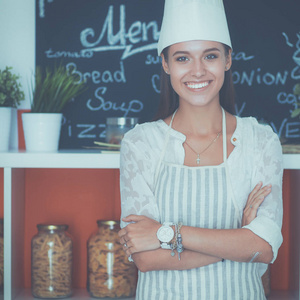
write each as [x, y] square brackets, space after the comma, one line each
[110, 274]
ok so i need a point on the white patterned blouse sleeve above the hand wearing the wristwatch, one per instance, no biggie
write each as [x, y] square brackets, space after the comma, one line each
[136, 180]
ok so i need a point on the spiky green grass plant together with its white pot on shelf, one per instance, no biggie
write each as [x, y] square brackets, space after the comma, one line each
[53, 89]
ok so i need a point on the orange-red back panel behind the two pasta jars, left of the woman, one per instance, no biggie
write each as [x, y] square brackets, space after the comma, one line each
[74, 197]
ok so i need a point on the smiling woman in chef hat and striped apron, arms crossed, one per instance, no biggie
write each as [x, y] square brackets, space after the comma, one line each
[200, 188]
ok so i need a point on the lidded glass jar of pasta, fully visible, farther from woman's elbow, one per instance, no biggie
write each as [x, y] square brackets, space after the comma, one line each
[51, 262]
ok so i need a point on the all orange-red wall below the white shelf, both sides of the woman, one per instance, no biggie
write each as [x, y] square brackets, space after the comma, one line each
[80, 197]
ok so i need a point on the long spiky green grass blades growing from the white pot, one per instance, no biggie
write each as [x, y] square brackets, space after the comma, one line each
[53, 89]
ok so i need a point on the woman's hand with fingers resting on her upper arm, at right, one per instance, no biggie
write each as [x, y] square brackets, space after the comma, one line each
[255, 199]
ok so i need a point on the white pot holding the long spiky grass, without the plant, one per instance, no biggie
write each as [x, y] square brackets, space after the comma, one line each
[41, 131]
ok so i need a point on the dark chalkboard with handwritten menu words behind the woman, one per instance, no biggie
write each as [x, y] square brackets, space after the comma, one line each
[112, 44]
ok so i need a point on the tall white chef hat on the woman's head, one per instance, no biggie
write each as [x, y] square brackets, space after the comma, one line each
[188, 20]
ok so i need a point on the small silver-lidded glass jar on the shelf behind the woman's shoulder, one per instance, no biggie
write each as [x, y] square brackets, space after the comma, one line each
[117, 127]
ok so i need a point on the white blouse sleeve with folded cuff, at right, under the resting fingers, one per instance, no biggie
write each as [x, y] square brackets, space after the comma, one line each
[269, 169]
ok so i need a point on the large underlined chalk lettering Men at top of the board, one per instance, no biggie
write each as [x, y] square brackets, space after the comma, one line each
[138, 32]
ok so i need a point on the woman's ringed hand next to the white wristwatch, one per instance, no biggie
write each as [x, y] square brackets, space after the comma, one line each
[140, 235]
